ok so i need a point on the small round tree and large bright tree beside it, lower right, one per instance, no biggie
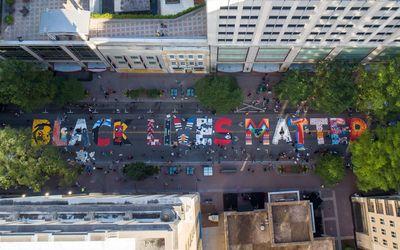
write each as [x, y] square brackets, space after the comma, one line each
[375, 160]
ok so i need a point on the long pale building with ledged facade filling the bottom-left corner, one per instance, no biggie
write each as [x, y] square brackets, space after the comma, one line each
[101, 222]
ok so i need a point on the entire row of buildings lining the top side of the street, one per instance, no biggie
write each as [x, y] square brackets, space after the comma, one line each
[225, 35]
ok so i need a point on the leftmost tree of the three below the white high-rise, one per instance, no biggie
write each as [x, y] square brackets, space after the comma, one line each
[295, 86]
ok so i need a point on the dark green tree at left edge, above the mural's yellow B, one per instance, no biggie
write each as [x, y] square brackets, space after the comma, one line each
[25, 85]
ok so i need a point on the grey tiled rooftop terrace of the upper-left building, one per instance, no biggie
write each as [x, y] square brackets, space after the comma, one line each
[28, 27]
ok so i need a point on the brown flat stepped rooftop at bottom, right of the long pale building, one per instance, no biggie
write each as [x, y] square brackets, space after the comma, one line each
[284, 225]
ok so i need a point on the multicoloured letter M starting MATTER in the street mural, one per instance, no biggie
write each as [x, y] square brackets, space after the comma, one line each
[261, 131]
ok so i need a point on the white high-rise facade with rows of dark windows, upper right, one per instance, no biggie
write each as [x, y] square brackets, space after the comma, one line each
[271, 35]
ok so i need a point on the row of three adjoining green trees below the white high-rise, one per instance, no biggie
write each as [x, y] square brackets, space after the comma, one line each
[337, 86]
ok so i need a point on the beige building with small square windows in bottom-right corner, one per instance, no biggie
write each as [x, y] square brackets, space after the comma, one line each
[377, 222]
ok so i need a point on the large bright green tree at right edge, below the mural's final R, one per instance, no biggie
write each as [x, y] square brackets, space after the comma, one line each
[376, 159]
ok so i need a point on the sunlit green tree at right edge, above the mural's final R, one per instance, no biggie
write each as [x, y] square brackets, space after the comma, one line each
[378, 88]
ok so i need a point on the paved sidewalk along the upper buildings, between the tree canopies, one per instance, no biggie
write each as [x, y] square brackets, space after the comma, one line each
[118, 83]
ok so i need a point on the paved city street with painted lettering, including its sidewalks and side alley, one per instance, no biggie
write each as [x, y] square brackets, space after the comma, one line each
[166, 132]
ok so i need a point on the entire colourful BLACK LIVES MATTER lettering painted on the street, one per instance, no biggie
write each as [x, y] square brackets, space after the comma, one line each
[206, 132]
